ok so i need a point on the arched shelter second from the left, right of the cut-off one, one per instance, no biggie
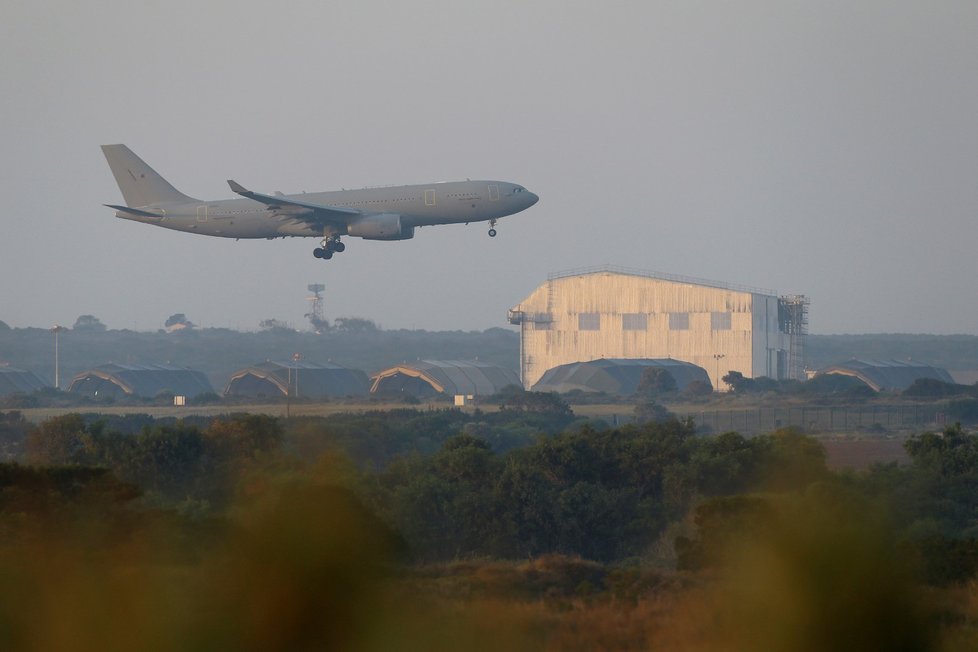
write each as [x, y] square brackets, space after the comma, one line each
[146, 380]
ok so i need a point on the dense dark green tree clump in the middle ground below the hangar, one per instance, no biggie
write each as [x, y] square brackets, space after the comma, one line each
[600, 494]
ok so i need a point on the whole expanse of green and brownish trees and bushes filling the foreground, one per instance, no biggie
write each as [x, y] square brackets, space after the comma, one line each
[251, 532]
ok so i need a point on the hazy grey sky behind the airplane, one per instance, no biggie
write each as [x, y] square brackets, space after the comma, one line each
[821, 148]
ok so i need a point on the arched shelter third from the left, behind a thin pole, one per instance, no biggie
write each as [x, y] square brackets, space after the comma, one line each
[305, 379]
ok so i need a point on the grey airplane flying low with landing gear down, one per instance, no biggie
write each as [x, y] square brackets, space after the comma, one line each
[385, 213]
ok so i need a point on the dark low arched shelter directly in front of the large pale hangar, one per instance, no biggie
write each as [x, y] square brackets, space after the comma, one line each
[615, 376]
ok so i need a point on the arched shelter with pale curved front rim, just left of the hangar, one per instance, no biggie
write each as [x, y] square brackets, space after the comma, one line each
[452, 377]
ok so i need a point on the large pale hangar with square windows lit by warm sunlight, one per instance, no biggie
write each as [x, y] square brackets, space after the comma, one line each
[619, 313]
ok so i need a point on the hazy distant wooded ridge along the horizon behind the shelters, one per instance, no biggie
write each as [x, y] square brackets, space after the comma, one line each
[220, 351]
